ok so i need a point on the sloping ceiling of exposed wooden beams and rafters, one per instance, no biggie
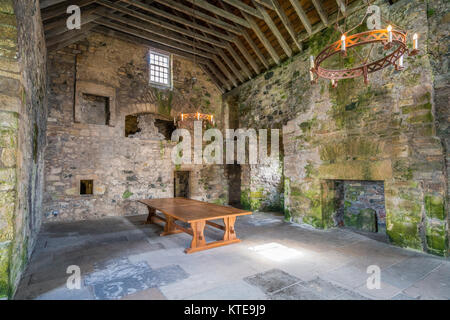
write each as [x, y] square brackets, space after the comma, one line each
[231, 40]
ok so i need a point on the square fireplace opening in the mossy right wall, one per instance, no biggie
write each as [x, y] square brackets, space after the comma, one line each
[360, 205]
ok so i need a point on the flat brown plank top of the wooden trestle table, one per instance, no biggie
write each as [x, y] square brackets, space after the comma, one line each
[189, 210]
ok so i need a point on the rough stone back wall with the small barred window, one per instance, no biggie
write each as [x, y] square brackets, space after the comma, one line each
[124, 169]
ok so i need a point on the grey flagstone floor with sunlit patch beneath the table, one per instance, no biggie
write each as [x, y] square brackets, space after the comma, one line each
[120, 258]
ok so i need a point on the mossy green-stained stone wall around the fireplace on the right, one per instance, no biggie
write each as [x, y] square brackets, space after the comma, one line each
[384, 131]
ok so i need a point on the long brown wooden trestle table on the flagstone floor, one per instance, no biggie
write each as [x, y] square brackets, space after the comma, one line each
[197, 214]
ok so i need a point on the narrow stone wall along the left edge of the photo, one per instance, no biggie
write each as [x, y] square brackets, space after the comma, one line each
[22, 135]
